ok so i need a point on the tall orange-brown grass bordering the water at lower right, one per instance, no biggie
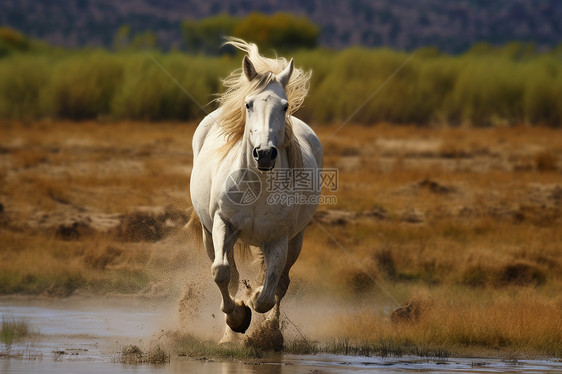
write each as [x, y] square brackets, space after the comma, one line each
[464, 323]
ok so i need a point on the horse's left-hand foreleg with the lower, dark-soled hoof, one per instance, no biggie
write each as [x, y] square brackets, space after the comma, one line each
[224, 237]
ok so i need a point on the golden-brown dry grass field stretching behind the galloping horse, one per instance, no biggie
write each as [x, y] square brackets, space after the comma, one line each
[460, 224]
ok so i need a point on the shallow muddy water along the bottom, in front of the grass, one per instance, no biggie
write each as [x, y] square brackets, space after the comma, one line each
[85, 336]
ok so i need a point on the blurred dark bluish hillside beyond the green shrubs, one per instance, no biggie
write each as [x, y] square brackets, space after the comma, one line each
[403, 24]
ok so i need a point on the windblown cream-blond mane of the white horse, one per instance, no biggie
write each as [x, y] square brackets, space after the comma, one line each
[232, 116]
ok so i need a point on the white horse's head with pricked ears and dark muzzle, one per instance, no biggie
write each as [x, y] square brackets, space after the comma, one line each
[265, 116]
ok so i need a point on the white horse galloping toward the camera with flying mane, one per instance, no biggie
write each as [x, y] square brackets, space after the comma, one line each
[245, 156]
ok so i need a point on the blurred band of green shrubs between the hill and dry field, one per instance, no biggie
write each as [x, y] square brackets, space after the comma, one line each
[492, 87]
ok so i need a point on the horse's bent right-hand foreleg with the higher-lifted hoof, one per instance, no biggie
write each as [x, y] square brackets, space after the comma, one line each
[275, 256]
